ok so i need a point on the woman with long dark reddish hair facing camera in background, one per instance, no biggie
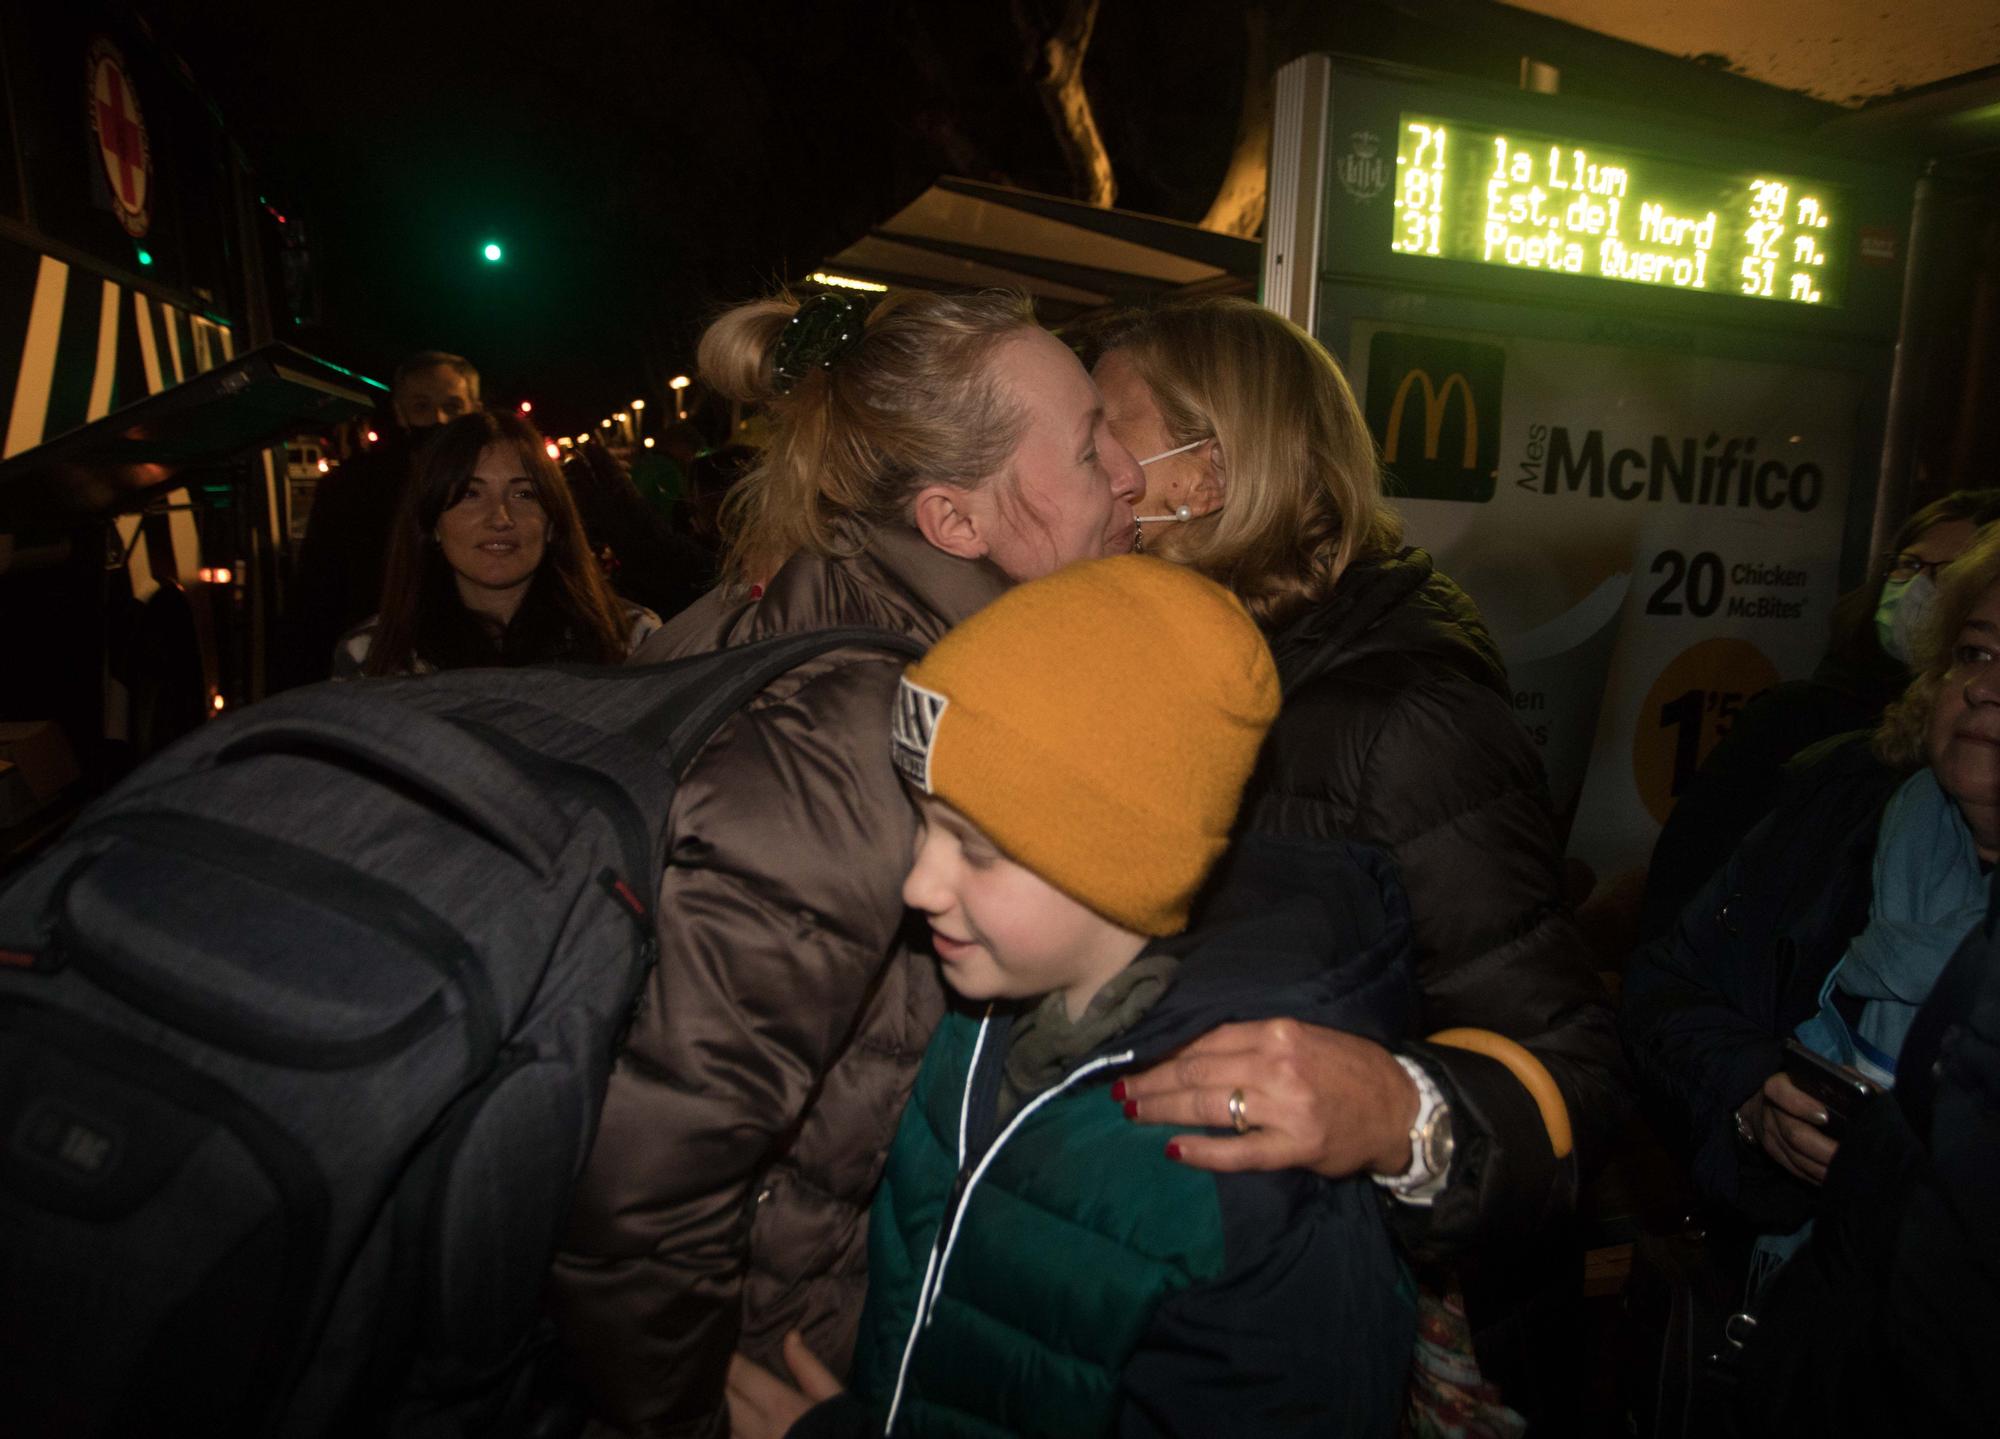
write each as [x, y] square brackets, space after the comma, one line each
[489, 565]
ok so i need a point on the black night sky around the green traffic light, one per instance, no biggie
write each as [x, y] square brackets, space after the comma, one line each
[645, 165]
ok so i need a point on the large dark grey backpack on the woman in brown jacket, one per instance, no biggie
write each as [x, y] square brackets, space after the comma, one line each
[303, 1038]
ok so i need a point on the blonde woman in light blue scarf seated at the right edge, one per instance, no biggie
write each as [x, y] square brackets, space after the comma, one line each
[1829, 924]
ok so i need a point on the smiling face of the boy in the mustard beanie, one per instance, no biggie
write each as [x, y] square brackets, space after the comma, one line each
[1001, 930]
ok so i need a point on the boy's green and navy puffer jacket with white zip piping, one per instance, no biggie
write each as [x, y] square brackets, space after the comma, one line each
[1075, 1280]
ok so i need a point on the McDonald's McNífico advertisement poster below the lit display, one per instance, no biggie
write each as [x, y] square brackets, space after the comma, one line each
[1653, 539]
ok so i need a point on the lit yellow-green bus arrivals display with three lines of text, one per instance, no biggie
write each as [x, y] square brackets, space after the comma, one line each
[1541, 203]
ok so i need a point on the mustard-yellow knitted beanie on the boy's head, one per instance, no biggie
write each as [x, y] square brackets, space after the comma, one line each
[1099, 728]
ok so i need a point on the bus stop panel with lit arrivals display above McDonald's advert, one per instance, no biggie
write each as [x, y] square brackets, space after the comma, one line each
[1629, 375]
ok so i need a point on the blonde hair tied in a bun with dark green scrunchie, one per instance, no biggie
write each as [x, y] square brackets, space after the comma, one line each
[915, 403]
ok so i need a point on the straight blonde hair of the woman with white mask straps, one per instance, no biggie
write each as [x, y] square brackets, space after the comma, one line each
[1303, 493]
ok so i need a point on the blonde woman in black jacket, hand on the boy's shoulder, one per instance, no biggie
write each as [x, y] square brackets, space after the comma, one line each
[1397, 732]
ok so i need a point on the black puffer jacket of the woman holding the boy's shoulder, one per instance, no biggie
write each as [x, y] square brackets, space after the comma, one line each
[1399, 732]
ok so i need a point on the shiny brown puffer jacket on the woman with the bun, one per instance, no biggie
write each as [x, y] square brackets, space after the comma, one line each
[761, 1084]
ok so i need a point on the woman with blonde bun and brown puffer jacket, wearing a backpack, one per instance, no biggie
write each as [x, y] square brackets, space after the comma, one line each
[927, 453]
